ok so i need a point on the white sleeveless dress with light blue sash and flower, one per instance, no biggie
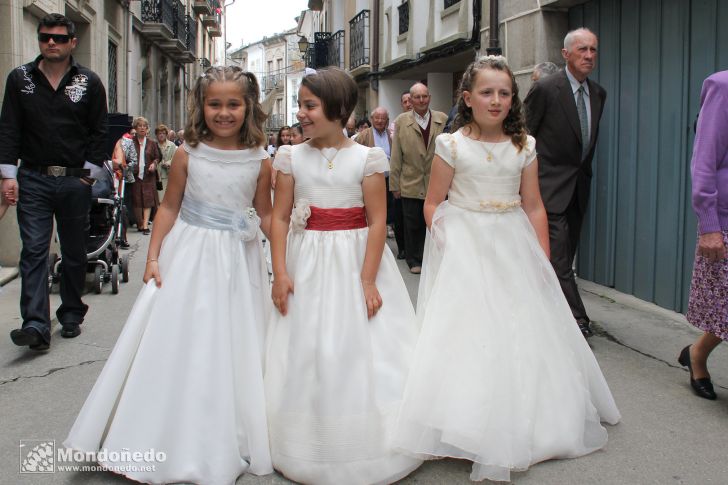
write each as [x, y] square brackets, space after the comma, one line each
[185, 377]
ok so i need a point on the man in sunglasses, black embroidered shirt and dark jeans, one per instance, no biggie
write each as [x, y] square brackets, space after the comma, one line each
[54, 121]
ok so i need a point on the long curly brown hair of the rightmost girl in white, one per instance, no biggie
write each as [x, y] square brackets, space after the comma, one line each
[515, 123]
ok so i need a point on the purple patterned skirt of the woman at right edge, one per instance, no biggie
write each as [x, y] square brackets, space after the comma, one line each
[708, 303]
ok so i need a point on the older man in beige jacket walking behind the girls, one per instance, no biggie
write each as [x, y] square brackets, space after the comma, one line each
[413, 147]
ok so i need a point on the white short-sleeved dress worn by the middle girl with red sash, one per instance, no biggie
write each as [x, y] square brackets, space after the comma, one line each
[334, 379]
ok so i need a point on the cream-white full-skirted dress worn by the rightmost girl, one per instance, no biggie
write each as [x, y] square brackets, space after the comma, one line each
[502, 375]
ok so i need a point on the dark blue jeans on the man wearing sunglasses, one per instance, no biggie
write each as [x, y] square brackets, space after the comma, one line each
[42, 197]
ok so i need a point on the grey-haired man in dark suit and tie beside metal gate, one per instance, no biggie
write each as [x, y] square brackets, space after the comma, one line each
[562, 113]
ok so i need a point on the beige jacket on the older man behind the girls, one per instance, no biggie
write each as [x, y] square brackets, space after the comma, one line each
[410, 163]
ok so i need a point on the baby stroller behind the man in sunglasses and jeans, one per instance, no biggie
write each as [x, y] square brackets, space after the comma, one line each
[102, 242]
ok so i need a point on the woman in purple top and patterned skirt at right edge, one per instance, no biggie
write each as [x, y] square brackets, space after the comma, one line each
[708, 304]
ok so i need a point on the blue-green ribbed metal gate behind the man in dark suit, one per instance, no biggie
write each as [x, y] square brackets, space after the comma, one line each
[640, 232]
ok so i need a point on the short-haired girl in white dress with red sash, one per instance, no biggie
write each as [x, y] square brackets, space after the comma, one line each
[338, 353]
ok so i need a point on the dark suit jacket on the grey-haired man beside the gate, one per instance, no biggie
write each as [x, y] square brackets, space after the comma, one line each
[552, 119]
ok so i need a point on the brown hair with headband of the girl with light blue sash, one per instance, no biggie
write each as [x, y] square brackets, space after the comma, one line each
[251, 133]
